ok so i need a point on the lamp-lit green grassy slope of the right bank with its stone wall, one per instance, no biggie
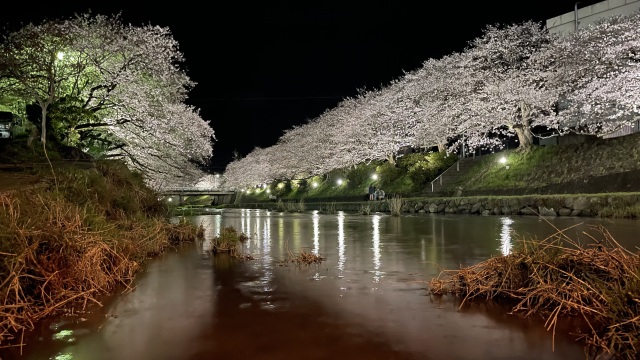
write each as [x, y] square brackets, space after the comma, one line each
[594, 178]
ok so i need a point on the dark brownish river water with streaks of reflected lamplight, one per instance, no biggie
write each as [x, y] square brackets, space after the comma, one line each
[367, 300]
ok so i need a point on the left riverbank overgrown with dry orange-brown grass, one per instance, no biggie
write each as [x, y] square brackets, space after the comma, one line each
[77, 235]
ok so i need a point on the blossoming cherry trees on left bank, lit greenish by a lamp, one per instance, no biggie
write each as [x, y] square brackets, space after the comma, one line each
[115, 90]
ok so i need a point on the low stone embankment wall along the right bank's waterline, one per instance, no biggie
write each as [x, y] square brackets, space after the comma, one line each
[544, 205]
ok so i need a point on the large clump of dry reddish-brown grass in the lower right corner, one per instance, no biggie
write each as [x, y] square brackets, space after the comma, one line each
[557, 277]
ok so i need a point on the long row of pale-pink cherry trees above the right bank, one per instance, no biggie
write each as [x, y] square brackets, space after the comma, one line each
[511, 81]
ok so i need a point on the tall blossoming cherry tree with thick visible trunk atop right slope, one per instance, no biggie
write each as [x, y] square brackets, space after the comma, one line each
[511, 89]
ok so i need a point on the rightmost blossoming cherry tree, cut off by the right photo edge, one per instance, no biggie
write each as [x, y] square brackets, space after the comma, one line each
[600, 67]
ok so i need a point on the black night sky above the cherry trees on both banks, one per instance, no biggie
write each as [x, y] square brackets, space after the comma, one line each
[263, 68]
